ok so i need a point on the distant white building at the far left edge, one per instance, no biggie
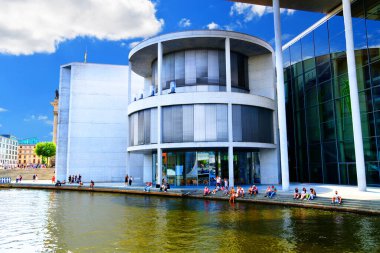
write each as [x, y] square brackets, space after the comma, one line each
[8, 151]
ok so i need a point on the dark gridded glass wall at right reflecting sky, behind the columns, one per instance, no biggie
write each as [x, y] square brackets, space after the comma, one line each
[320, 135]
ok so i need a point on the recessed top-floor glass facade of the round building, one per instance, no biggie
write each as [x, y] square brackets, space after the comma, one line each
[201, 70]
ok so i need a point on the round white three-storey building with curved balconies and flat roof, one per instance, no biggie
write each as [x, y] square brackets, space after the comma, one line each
[206, 109]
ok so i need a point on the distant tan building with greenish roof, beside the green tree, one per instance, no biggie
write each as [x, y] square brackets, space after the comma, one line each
[26, 155]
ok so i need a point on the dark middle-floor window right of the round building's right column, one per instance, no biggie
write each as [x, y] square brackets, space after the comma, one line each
[252, 124]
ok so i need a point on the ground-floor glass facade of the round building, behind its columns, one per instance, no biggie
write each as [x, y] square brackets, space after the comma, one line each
[201, 167]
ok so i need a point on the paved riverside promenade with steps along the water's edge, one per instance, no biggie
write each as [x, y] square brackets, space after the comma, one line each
[353, 200]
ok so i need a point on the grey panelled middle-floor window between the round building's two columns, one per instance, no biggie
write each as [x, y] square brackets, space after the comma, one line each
[194, 123]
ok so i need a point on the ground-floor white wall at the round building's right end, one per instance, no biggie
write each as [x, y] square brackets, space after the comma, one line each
[269, 166]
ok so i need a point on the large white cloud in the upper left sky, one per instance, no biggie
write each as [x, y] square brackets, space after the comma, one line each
[38, 26]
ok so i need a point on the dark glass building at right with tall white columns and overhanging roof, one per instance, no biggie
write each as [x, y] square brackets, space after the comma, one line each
[329, 130]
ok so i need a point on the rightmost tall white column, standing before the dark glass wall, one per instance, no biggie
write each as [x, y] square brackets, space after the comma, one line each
[356, 122]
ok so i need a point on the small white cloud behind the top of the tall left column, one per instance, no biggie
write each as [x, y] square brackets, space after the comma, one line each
[250, 11]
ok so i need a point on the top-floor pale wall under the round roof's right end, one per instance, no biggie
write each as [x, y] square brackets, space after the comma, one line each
[261, 75]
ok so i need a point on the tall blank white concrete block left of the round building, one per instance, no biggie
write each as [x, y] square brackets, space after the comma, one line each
[96, 122]
